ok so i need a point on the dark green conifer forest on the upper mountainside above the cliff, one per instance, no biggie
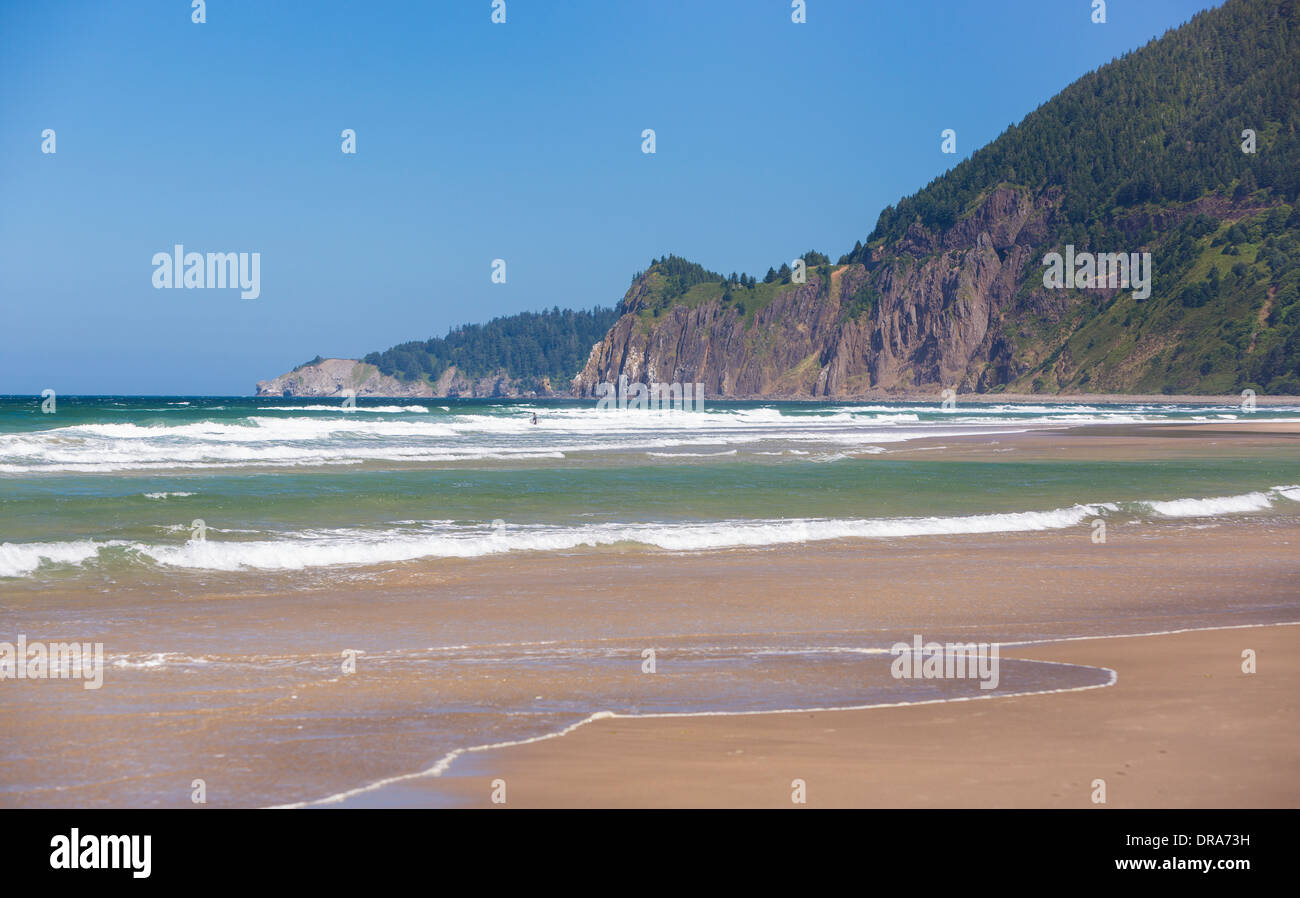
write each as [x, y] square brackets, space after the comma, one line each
[1160, 125]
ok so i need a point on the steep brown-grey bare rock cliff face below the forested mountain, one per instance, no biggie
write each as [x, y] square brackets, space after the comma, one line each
[928, 313]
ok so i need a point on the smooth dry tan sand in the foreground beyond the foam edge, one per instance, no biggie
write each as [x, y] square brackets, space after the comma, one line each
[1182, 727]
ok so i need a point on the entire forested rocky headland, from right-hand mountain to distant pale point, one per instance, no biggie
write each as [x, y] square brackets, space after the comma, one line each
[1185, 153]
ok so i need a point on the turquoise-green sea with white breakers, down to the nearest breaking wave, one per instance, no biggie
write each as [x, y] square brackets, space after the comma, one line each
[107, 487]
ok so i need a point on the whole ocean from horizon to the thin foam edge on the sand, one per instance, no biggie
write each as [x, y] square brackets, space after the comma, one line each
[492, 580]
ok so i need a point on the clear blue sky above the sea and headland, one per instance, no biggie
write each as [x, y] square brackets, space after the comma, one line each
[475, 142]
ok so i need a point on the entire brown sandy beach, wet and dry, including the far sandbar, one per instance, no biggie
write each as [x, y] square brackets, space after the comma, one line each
[263, 713]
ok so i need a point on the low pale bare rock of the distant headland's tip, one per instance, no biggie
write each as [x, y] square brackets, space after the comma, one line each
[333, 378]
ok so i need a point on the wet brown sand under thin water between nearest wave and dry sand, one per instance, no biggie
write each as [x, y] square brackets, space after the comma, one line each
[535, 644]
